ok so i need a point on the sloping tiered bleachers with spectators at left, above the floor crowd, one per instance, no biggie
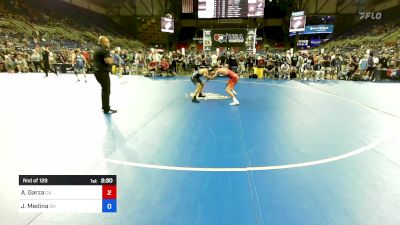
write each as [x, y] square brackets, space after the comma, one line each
[31, 23]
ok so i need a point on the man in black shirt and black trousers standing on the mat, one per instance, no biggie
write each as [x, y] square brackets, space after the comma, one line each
[102, 63]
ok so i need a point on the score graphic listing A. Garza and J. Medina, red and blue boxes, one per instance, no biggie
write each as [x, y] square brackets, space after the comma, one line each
[68, 193]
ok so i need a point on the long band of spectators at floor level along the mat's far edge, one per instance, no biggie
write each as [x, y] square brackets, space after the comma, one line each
[318, 64]
